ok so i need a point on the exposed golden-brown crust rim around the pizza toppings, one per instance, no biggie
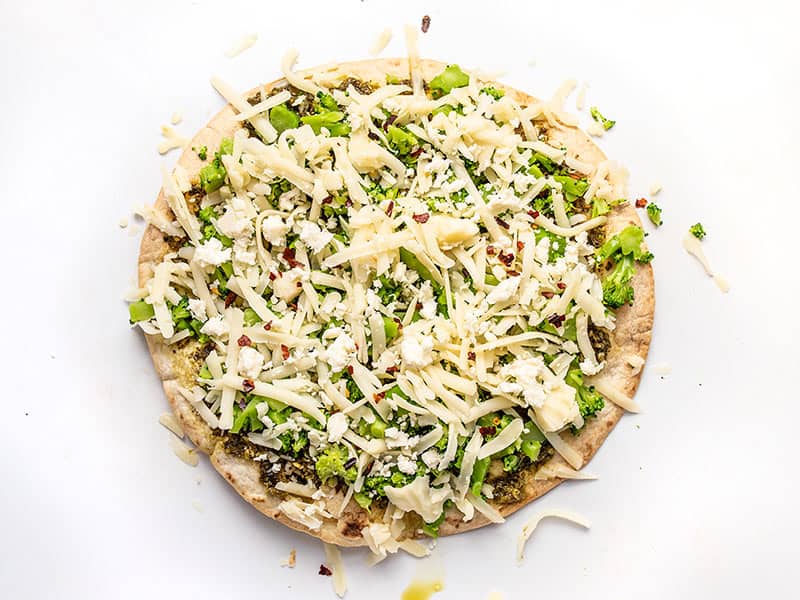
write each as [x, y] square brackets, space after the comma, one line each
[630, 338]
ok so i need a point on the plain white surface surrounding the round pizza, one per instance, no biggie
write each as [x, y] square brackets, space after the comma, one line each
[697, 496]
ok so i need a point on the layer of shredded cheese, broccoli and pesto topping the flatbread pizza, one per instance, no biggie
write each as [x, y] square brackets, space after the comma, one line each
[399, 293]
